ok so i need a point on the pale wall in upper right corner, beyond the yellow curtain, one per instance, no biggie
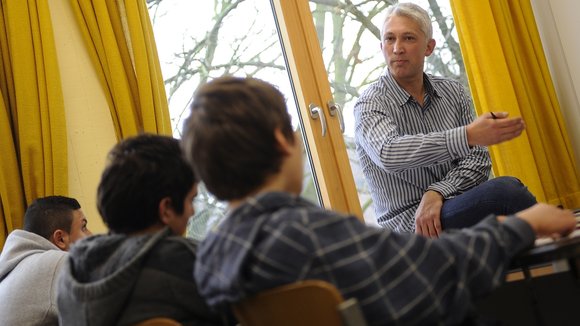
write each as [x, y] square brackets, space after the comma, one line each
[558, 25]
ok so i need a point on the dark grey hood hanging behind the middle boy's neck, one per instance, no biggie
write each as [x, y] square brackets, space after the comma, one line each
[100, 274]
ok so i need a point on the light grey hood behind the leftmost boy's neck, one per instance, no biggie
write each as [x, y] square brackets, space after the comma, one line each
[19, 245]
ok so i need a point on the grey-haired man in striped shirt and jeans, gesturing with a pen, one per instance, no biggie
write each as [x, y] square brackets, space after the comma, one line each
[421, 151]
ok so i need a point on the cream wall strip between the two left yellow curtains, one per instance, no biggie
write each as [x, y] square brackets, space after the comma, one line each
[90, 128]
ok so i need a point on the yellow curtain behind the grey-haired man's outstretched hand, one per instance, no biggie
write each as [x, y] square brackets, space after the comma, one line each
[507, 71]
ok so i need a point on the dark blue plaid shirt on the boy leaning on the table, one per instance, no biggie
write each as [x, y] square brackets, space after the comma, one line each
[397, 278]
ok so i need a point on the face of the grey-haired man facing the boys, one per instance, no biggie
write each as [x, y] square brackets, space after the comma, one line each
[405, 47]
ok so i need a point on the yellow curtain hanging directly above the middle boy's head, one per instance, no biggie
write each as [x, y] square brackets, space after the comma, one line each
[119, 38]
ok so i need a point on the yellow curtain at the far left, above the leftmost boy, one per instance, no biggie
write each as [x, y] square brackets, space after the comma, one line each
[33, 139]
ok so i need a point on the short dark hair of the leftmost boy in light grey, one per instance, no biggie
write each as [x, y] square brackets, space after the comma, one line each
[48, 214]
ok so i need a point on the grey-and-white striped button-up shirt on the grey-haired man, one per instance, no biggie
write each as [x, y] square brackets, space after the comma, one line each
[405, 149]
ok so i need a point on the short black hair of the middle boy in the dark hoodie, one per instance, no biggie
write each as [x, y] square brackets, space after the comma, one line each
[141, 171]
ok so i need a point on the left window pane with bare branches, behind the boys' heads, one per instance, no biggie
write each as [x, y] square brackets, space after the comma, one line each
[201, 40]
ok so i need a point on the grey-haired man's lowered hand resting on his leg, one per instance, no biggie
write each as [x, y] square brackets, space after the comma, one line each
[428, 215]
